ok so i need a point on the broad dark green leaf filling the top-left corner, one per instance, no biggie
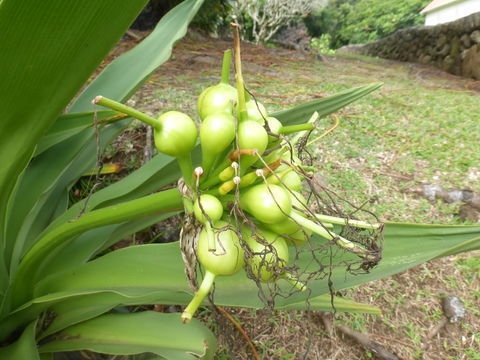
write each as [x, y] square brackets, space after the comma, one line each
[38, 84]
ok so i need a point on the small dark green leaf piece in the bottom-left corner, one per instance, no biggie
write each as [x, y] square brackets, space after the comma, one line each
[24, 348]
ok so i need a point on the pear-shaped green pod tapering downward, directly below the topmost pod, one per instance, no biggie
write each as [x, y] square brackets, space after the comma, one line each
[216, 133]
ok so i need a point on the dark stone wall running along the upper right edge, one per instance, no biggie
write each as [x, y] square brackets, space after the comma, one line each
[453, 47]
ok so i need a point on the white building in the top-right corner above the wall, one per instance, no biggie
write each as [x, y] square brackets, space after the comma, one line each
[442, 11]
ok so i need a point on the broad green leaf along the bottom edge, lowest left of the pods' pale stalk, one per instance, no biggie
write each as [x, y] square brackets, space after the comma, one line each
[127, 334]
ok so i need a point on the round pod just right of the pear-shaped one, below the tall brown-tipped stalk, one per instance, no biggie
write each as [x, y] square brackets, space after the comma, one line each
[251, 135]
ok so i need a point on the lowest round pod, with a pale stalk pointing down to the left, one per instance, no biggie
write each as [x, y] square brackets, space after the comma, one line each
[229, 257]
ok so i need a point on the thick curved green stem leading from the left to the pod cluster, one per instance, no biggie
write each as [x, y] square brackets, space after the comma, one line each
[162, 202]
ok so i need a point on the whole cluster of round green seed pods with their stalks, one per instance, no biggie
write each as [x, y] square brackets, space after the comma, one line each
[249, 173]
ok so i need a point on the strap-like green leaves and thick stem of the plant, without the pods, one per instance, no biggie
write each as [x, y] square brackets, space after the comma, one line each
[59, 288]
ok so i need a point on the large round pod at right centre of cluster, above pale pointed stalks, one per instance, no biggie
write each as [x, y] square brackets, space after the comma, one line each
[268, 209]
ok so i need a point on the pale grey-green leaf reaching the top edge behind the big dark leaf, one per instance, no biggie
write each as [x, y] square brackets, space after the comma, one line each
[122, 77]
